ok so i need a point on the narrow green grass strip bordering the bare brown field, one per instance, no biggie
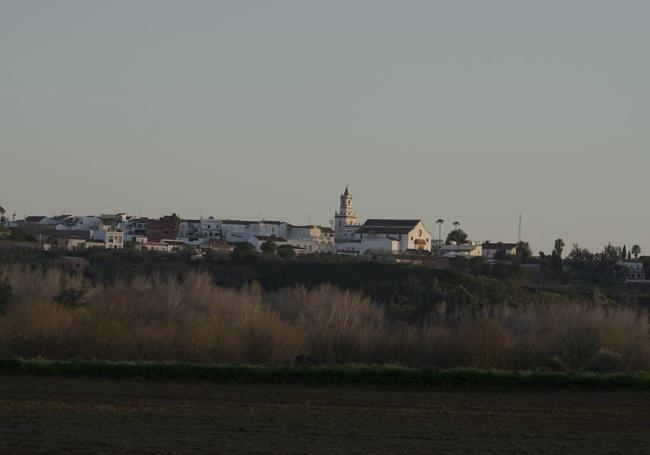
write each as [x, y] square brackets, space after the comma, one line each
[327, 375]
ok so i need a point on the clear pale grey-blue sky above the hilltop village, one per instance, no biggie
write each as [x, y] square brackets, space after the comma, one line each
[464, 110]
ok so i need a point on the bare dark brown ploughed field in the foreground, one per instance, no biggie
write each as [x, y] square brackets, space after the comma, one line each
[130, 416]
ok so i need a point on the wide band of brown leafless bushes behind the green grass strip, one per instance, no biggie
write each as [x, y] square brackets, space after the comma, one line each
[189, 318]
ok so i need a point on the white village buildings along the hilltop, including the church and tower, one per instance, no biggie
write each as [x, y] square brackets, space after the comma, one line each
[404, 240]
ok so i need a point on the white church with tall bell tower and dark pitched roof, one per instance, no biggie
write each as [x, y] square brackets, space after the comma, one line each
[383, 236]
